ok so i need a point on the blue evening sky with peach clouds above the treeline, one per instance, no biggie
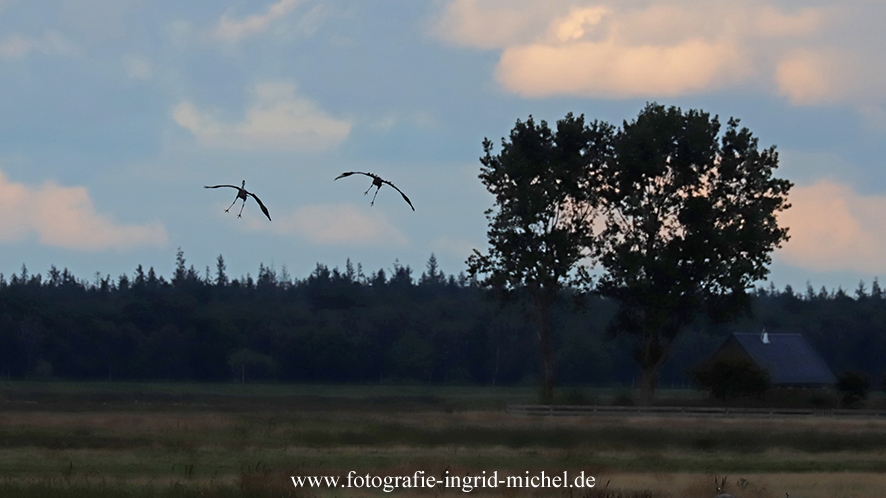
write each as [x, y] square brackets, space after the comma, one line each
[115, 113]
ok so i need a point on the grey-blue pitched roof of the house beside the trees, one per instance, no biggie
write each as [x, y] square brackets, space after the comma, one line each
[788, 358]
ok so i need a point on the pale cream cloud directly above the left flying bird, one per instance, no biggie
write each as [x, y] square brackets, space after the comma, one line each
[278, 118]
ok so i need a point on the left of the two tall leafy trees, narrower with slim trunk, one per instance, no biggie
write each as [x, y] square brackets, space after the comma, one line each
[541, 226]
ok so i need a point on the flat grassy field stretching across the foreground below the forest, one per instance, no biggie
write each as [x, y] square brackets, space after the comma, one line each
[80, 439]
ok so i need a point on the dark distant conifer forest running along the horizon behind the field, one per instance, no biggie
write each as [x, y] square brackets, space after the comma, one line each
[344, 326]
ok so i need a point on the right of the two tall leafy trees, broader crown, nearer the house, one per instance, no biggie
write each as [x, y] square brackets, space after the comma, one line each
[691, 225]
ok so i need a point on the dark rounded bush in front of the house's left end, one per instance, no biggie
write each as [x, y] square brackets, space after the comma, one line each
[731, 378]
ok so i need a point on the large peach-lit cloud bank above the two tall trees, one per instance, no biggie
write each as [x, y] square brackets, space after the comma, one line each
[808, 53]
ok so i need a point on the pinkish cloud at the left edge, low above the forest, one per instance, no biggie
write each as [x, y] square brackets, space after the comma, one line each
[65, 217]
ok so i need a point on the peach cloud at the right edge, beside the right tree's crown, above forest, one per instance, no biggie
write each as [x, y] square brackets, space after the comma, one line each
[833, 228]
